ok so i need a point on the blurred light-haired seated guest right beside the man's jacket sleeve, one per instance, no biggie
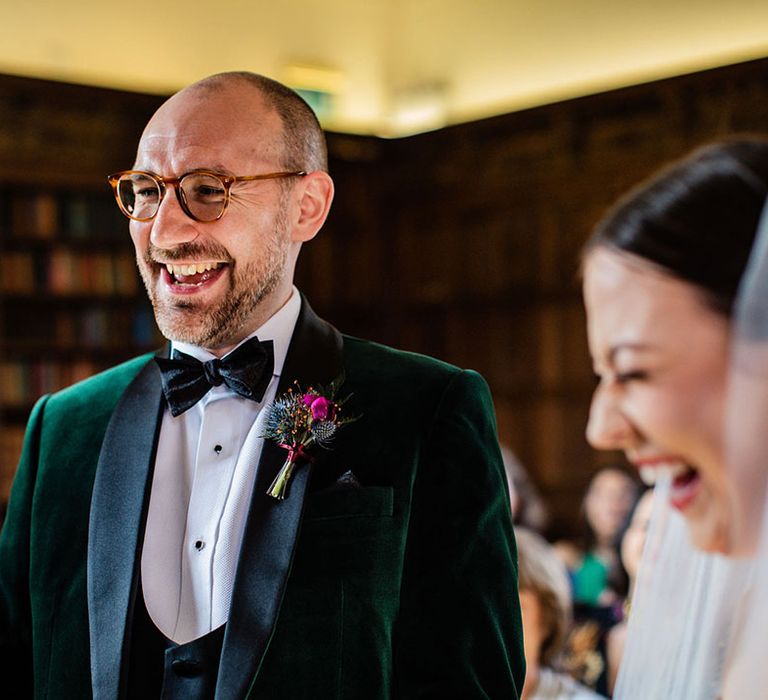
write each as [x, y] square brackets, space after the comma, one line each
[545, 601]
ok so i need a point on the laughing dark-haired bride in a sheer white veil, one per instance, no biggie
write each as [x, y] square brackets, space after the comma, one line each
[676, 293]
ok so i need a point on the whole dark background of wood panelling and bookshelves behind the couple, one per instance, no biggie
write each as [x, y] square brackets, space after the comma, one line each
[461, 243]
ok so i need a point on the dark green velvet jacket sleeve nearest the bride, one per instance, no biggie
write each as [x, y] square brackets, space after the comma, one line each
[459, 633]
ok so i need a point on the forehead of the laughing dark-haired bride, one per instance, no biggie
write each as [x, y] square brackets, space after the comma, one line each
[630, 302]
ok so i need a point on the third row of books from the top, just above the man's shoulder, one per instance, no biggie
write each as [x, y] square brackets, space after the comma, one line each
[97, 327]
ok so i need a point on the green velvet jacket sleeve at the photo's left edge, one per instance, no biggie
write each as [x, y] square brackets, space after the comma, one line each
[15, 608]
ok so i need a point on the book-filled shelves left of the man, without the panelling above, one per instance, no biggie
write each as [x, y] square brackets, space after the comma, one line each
[71, 302]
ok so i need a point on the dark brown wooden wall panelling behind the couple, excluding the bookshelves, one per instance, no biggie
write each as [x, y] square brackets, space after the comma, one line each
[461, 243]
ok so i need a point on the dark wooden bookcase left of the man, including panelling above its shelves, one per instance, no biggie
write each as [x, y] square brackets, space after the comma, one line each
[71, 302]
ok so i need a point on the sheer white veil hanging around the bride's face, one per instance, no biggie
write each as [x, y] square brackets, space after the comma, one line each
[699, 621]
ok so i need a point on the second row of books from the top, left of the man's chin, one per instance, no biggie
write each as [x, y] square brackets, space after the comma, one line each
[63, 271]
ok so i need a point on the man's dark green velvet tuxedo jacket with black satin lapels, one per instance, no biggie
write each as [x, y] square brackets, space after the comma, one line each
[404, 586]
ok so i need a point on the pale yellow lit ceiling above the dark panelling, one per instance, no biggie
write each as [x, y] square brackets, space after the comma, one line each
[387, 67]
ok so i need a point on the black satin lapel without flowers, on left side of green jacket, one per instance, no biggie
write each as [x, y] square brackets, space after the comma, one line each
[117, 512]
